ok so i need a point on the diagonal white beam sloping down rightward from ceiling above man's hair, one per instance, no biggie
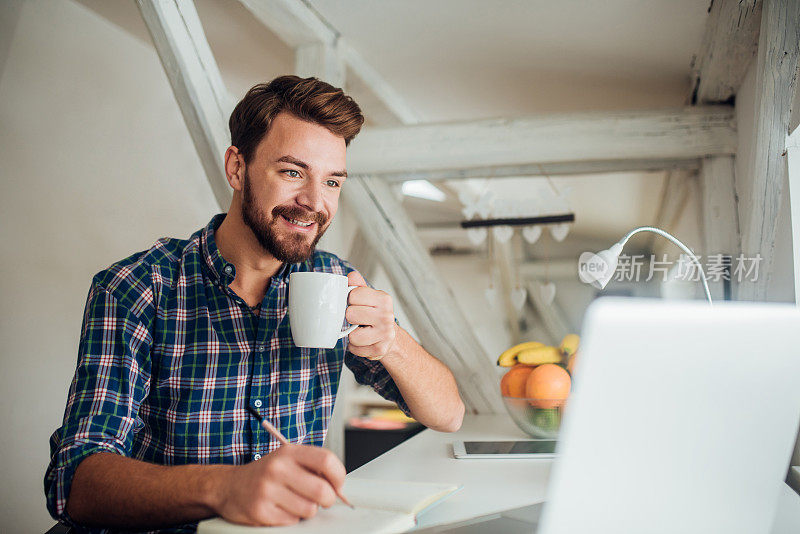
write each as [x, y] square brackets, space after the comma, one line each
[298, 24]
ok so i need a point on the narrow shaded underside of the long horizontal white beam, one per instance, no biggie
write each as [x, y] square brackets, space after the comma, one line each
[546, 169]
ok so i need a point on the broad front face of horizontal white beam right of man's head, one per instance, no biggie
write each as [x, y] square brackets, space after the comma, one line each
[686, 133]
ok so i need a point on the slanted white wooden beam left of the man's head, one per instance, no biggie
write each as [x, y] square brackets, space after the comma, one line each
[195, 79]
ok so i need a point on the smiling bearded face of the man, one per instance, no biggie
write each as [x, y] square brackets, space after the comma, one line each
[291, 187]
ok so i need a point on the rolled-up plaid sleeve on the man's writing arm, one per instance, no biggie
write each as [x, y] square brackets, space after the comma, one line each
[111, 380]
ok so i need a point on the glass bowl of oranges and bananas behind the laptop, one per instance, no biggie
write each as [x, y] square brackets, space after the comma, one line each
[537, 384]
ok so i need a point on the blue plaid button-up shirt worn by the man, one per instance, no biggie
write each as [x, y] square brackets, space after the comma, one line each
[170, 356]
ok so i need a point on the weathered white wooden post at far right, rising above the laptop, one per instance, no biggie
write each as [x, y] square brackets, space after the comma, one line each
[760, 198]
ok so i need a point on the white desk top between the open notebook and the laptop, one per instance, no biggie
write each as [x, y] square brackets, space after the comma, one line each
[490, 486]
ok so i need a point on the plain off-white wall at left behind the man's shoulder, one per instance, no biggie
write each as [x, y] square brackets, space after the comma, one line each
[96, 163]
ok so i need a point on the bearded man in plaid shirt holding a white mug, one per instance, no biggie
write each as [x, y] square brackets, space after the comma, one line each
[178, 340]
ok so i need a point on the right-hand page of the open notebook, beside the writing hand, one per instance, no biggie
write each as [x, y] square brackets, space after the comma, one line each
[394, 495]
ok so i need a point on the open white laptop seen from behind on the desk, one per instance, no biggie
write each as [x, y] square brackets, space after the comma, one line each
[682, 420]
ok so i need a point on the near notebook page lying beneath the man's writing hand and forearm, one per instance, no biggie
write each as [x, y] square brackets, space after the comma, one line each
[335, 520]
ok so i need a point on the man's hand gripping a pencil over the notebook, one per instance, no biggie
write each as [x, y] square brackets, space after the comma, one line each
[283, 487]
